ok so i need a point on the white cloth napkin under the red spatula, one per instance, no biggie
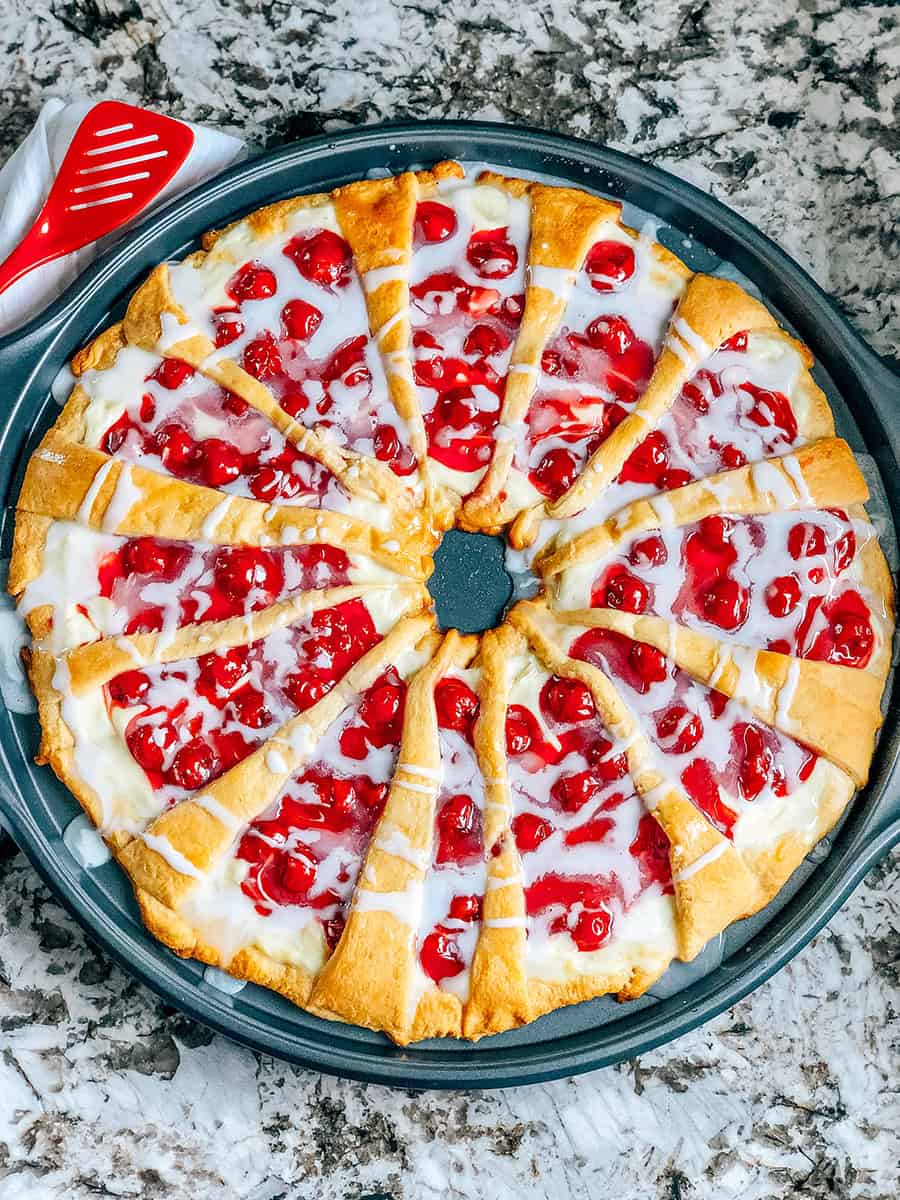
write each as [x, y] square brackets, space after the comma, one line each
[27, 178]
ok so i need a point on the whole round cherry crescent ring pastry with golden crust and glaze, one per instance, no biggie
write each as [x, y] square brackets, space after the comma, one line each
[429, 939]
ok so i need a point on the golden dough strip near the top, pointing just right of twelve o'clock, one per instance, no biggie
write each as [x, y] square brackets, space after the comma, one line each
[566, 224]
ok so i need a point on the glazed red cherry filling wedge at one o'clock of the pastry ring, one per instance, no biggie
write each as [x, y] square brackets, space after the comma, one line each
[592, 376]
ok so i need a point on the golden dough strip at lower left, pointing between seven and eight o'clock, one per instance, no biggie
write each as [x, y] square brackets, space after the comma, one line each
[197, 836]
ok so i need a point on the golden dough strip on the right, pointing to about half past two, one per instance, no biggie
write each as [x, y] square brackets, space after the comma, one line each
[821, 476]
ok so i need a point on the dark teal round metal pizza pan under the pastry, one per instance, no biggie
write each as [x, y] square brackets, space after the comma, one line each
[472, 590]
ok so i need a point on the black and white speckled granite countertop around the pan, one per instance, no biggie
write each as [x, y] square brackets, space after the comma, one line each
[788, 110]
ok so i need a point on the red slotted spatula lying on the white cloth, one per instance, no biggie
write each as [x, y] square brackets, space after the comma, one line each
[119, 161]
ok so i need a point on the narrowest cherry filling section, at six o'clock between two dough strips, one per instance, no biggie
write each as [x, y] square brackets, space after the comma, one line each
[457, 883]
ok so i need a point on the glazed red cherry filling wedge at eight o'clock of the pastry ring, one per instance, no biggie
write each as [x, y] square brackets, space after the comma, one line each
[197, 718]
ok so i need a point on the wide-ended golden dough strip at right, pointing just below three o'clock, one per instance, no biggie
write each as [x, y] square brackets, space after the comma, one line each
[832, 709]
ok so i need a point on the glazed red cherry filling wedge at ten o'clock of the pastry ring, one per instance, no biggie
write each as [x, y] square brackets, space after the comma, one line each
[190, 428]
